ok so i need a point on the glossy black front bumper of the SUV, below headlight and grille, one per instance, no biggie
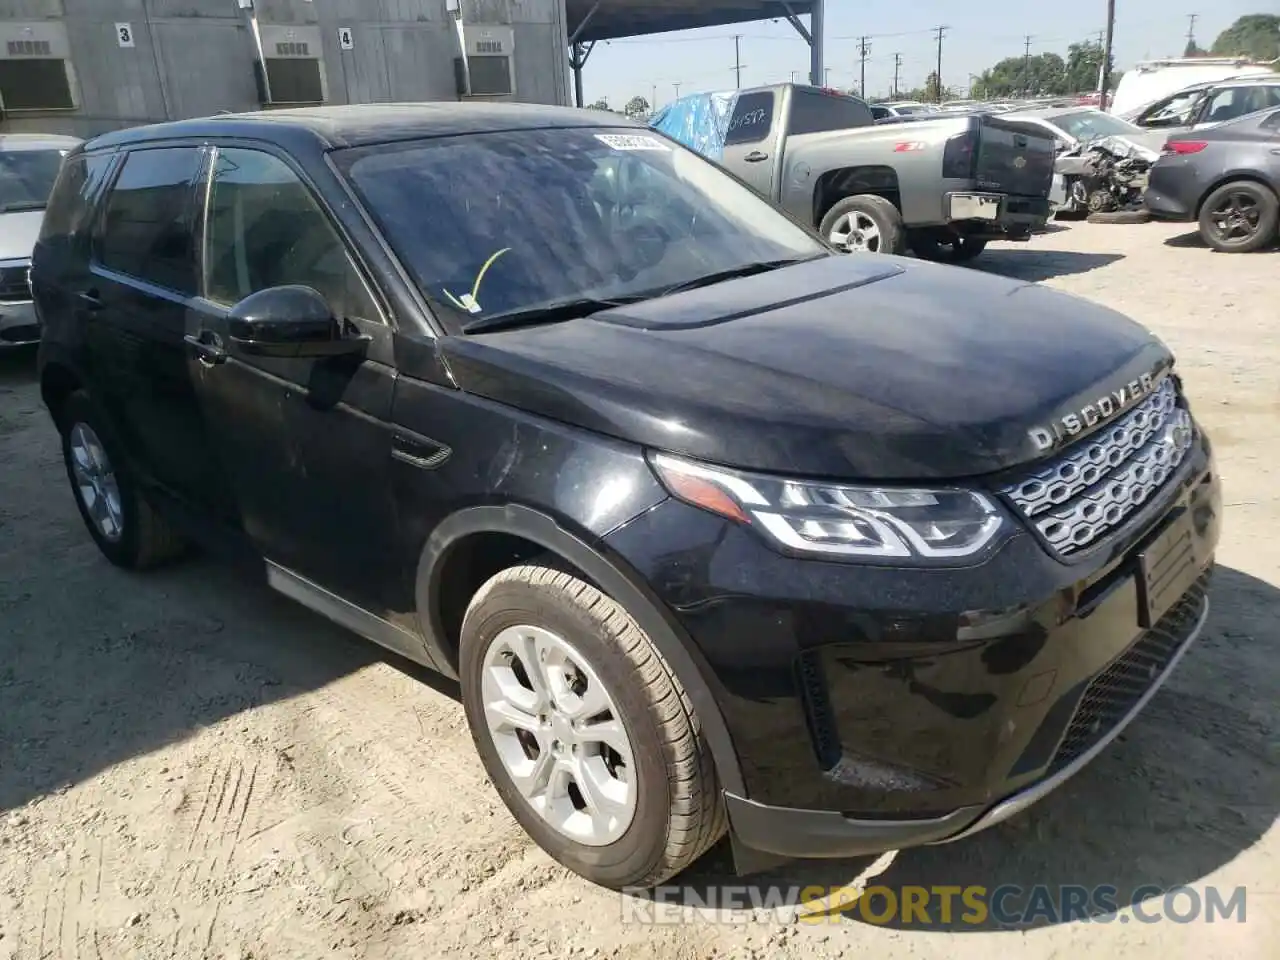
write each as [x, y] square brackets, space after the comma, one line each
[877, 708]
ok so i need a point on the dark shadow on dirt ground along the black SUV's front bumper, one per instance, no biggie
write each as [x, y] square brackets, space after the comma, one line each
[1190, 787]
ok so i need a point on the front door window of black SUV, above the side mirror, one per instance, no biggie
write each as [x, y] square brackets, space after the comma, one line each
[266, 230]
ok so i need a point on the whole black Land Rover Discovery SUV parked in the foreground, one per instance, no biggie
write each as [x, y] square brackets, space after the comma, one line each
[717, 528]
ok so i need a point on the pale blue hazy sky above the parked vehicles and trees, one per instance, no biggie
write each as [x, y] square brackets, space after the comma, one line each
[981, 33]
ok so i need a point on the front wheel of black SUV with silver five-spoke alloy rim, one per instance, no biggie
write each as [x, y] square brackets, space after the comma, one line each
[657, 781]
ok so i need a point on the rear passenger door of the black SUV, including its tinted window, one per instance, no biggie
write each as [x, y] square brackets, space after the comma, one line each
[135, 299]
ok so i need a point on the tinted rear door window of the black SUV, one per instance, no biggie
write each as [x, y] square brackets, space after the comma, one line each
[147, 230]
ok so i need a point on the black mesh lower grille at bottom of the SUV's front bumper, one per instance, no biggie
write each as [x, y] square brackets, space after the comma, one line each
[1113, 694]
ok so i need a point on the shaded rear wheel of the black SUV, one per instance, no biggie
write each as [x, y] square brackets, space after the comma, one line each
[125, 527]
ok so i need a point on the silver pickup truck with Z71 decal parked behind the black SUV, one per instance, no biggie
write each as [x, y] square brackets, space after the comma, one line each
[943, 188]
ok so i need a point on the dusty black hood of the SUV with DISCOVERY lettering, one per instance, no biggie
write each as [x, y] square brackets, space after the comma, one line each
[861, 367]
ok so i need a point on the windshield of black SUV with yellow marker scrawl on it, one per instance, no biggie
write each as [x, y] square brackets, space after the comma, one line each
[514, 222]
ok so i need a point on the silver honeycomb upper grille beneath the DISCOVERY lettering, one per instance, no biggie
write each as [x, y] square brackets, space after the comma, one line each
[1098, 484]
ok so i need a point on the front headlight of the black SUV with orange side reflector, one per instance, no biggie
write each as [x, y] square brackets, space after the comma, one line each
[838, 519]
